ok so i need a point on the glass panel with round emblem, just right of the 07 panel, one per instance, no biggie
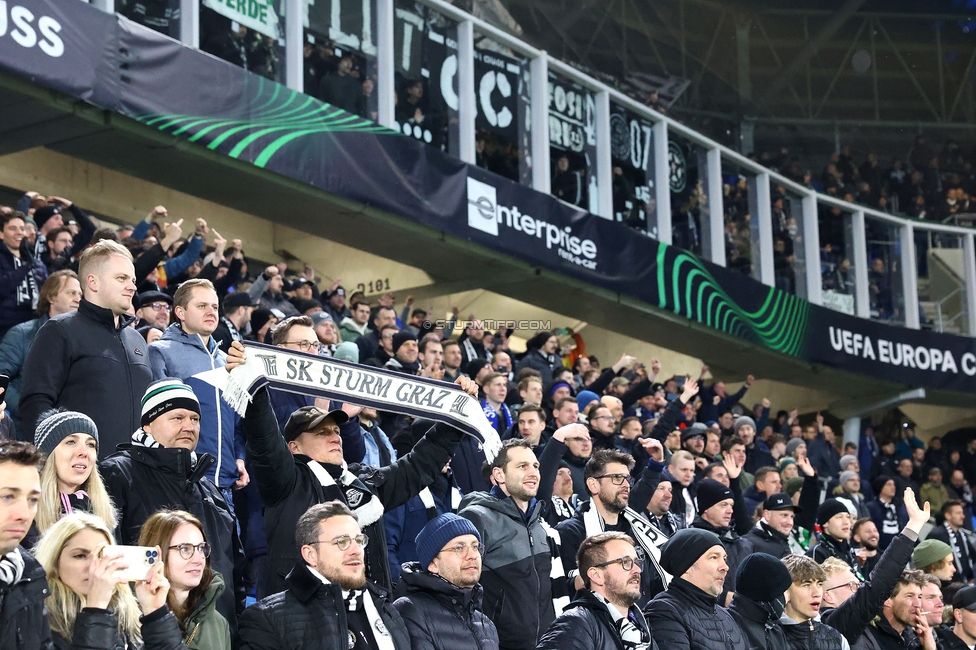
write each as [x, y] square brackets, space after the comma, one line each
[688, 179]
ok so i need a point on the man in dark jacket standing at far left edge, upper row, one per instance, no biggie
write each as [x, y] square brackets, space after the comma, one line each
[21, 274]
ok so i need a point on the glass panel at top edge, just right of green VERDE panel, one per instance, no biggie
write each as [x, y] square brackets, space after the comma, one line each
[340, 54]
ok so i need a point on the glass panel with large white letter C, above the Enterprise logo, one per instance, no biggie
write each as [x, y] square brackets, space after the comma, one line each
[504, 140]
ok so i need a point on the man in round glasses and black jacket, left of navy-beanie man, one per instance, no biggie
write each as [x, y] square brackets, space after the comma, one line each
[327, 603]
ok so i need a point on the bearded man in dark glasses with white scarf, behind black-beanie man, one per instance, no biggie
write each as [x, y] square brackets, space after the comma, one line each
[608, 482]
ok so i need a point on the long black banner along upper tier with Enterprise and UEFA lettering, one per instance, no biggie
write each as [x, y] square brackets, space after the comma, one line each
[115, 64]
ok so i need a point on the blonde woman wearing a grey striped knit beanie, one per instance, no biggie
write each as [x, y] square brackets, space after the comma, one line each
[70, 481]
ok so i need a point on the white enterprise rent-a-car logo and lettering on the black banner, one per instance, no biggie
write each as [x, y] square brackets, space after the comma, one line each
[485, 214]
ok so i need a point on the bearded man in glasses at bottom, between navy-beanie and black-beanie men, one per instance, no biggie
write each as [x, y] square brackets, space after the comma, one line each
[604, 615]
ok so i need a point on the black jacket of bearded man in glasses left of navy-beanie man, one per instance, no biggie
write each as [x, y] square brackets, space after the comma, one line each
[311, 615]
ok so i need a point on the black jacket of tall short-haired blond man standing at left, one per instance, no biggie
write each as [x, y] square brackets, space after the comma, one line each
[84, 362]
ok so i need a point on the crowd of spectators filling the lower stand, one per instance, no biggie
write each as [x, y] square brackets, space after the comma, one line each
[626, 509]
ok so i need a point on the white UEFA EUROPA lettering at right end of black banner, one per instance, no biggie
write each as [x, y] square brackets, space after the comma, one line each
[894, 353]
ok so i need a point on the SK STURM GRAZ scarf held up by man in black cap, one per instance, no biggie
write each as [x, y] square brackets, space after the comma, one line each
[384, 390]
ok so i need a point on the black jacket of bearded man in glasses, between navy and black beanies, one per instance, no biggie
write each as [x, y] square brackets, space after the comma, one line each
[587, 625]
